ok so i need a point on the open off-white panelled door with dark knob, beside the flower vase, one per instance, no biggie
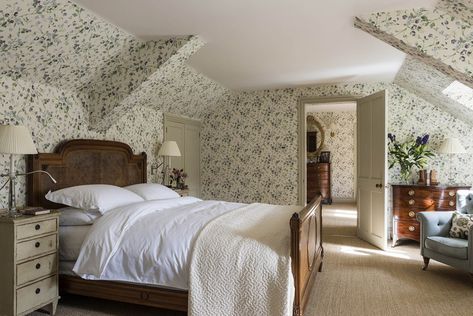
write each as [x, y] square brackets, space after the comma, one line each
[372, 166]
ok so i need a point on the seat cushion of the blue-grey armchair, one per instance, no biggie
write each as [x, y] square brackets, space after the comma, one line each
[451, 247]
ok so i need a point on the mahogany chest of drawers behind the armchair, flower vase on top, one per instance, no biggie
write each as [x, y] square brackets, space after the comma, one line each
[408, 200]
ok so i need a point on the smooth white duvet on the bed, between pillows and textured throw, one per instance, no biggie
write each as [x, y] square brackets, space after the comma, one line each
[147, 242]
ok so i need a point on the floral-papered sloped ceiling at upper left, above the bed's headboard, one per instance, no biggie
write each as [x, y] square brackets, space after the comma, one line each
[58, 43]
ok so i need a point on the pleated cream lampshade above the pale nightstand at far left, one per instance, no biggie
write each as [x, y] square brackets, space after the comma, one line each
[16, 139]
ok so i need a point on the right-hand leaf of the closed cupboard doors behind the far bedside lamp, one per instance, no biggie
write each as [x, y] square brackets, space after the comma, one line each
[192, 159]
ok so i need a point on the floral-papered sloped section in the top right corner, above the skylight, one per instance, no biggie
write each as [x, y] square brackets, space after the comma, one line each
[441, 38]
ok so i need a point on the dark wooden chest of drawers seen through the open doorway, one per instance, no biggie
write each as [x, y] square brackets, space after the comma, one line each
[318, 181]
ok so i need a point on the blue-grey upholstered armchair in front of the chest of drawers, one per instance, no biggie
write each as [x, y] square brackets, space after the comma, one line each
[436, 243]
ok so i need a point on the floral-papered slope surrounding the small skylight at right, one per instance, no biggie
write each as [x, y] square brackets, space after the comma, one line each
[429, 83]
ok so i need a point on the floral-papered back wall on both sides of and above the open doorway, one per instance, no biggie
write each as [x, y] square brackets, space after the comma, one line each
[249, 141]
